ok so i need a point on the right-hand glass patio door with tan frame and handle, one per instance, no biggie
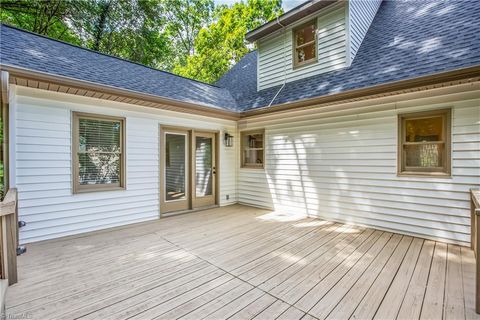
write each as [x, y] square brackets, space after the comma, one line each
[204, 169]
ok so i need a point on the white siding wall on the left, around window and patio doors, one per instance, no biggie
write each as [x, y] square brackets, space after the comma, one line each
[42, 164]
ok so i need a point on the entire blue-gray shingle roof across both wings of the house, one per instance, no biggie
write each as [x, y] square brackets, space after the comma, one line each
[407, 39]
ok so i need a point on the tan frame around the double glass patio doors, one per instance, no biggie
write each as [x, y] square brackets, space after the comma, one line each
[191, 151]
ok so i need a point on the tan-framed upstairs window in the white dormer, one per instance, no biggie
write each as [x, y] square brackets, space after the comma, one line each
[305, 44]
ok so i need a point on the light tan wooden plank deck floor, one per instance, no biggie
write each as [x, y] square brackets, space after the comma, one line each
[239, 262]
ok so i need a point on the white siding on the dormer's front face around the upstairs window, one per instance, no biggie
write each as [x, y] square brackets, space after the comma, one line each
[275, 60]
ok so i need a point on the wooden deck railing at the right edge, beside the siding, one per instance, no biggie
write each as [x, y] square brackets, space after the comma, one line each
[475, 240]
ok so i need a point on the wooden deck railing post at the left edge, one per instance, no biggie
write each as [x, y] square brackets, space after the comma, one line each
[9, 236]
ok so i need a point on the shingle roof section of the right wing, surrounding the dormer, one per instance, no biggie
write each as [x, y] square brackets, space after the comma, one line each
[407, 39]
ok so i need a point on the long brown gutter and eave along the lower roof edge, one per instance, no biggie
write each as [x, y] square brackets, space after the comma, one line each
[464, 74]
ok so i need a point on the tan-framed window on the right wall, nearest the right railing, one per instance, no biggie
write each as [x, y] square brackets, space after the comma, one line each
[424, 143]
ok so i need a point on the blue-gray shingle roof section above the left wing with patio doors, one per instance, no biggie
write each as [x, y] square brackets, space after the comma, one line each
[27, 50]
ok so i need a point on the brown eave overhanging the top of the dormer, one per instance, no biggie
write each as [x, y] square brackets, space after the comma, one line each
[288, 18]
